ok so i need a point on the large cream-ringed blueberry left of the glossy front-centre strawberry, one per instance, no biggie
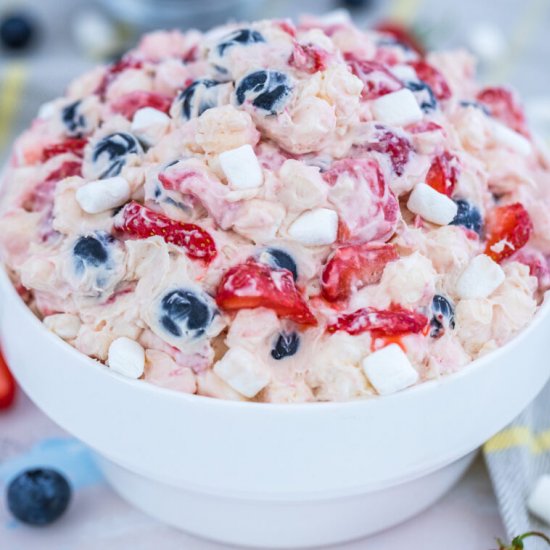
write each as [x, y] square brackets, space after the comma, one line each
[184, 312]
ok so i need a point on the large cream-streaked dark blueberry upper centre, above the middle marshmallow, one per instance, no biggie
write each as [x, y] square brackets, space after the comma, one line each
[268, 90]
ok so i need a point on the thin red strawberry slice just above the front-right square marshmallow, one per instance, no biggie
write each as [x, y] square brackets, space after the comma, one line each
[380, 322]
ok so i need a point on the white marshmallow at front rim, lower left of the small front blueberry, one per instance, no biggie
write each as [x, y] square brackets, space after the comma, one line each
[243, 371]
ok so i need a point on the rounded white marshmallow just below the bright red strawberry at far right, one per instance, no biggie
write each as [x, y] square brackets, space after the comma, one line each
[480, 279]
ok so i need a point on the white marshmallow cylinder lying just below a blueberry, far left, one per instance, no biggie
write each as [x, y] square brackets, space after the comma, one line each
[100, 195]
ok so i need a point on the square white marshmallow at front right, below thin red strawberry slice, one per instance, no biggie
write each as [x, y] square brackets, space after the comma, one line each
[389, 370]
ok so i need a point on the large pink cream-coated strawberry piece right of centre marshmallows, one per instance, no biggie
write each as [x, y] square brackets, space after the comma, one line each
[368, 207]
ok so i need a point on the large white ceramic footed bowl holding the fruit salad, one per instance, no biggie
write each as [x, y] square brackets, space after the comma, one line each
[270, 474]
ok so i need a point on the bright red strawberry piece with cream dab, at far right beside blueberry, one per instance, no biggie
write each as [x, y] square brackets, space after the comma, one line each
[508, 229]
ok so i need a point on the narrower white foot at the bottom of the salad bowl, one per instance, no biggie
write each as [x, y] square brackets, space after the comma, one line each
[282, 523]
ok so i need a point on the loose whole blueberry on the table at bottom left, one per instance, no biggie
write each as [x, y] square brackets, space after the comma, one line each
[38, 496]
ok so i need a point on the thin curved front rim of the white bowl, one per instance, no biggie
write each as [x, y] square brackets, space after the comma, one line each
[420, 389]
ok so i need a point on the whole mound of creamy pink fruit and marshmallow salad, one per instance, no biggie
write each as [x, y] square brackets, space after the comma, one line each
[280, 213]
